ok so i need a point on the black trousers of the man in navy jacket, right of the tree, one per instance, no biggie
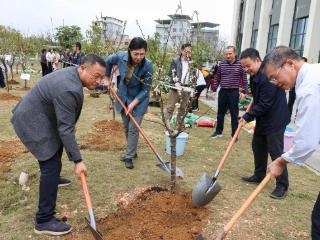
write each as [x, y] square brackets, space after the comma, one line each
[272, 144]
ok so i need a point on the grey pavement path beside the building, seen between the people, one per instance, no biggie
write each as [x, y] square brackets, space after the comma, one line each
[313, 163]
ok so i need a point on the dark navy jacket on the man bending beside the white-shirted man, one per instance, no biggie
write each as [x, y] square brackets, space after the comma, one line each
[270, 107]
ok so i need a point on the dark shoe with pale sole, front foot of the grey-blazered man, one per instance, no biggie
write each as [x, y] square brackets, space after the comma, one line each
[54, 227]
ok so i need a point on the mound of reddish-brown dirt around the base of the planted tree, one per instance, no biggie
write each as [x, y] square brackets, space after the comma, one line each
[154, 214]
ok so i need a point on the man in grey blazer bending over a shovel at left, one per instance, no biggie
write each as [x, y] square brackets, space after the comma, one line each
[45, 122]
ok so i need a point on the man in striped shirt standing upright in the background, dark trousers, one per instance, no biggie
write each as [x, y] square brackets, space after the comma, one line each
[230, 77]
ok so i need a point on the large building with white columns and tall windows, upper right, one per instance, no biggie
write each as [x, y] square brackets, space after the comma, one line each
[264, 24]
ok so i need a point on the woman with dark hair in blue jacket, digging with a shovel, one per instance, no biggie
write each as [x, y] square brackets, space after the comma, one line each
[134, 83]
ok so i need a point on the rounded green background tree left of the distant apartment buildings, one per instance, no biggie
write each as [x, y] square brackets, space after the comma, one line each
[68, 35]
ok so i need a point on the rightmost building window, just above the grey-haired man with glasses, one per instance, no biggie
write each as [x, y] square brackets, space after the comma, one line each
[298, 34]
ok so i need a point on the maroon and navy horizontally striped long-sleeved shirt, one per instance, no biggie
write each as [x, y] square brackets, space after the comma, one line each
[231, 76]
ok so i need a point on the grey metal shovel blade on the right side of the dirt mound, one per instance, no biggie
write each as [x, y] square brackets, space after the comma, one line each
[205, 190]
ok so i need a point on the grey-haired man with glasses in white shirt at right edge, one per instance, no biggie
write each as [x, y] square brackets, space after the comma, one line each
[286, 69]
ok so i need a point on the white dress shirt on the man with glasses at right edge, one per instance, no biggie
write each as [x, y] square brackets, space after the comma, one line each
[307, 137]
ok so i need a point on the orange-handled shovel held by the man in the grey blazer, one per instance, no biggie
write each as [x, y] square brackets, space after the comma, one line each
[92, 223]
